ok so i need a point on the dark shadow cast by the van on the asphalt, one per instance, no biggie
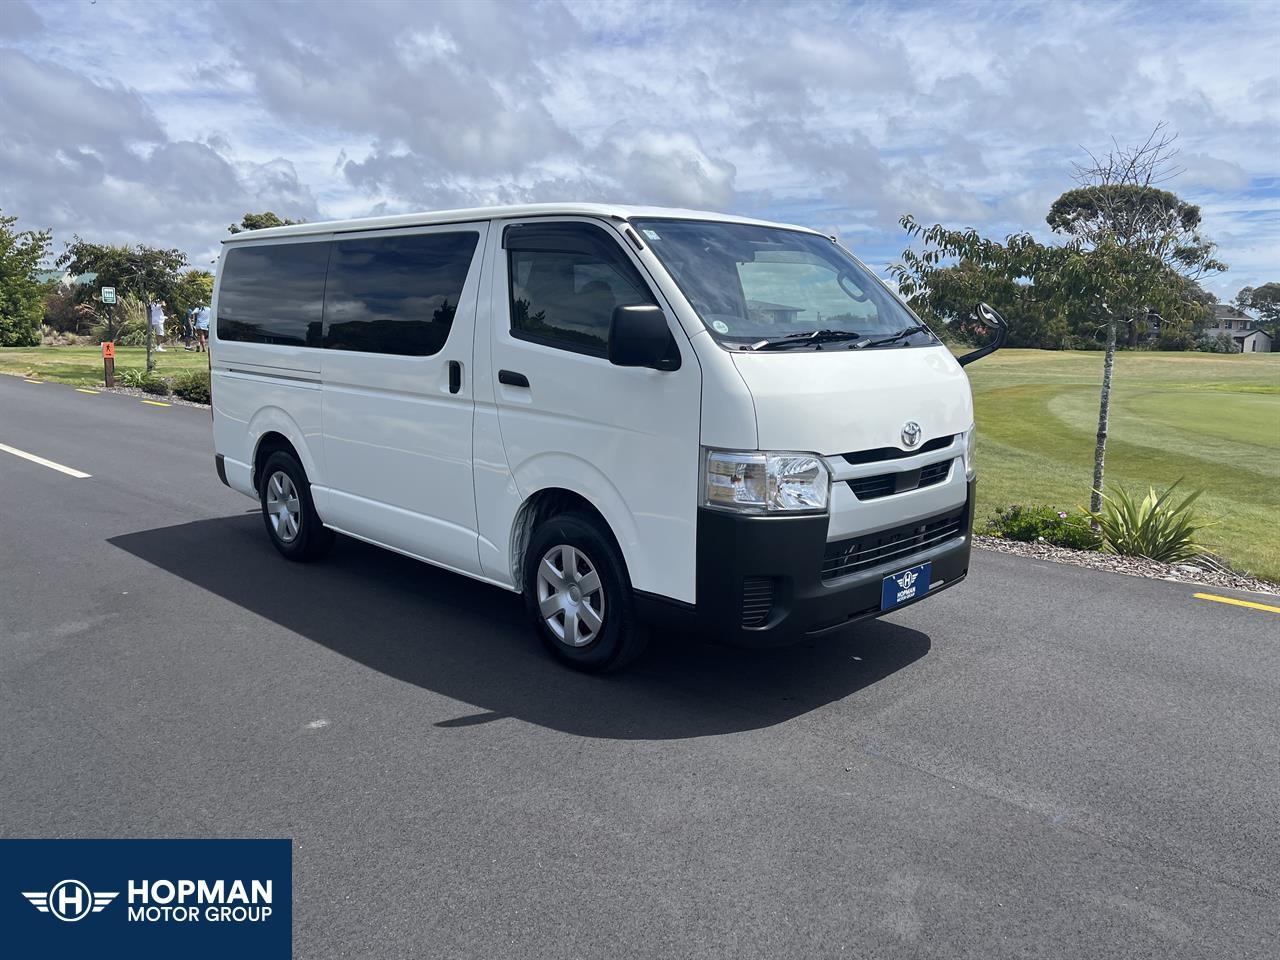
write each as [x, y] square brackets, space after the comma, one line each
[470, 642]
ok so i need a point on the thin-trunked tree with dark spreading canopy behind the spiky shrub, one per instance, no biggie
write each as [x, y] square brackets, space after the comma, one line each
[1132, 250]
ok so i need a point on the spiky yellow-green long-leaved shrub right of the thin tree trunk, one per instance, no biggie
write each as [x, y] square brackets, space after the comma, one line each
[1153, 528]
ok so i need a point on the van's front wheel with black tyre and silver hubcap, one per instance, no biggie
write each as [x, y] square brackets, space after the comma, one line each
[592, 630]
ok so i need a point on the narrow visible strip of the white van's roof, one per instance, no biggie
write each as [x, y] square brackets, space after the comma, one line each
[611, 212]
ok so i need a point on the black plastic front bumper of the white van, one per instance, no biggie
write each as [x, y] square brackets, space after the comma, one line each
[761, 579]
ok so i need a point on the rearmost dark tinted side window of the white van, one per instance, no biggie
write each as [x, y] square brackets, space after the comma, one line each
[273, 294]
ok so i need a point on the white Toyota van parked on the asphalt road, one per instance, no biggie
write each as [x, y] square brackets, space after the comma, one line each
[624, 414]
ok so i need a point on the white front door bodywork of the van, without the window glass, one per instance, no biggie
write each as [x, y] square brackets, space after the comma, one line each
[624, 438]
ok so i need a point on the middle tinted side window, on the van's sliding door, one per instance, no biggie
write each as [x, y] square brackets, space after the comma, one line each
[396, 295]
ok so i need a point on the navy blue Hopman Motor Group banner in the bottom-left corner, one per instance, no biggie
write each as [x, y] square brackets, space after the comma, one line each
[144, 899]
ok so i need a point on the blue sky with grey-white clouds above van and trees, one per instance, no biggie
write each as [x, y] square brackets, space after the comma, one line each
[163, 124]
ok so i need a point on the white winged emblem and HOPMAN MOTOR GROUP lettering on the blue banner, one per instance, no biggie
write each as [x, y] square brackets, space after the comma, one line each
[162, 902]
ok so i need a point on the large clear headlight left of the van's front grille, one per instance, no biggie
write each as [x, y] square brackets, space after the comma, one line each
[766, 482]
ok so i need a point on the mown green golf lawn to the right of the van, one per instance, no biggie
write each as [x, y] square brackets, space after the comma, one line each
[1212, 420]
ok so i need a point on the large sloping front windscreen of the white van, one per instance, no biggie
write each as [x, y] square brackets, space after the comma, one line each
[756, 285]
